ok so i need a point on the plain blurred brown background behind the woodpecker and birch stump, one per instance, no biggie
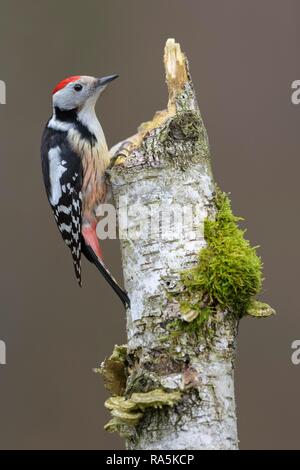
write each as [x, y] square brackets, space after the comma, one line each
[243, 56]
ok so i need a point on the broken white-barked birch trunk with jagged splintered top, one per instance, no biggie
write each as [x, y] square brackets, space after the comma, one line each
[167, 164]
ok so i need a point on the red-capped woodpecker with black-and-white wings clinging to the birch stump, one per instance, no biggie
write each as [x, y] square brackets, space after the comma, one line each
[74, 157]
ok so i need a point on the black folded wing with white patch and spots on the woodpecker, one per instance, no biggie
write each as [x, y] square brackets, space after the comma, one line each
[62, 172]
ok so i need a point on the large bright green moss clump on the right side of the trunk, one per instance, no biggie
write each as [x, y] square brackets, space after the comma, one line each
[228, 274]
